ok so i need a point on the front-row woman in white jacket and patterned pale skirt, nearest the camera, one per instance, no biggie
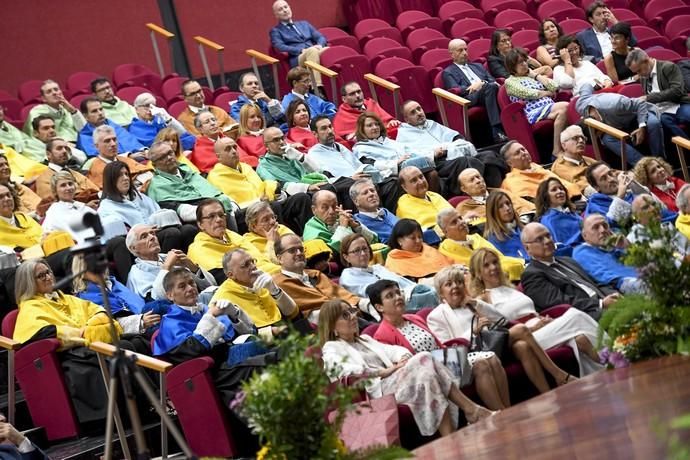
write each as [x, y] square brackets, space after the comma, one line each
[417, 381]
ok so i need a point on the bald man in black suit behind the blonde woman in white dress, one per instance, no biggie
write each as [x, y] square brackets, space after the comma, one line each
[550, 280]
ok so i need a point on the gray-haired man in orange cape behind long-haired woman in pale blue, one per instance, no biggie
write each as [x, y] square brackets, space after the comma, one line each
[106, 143]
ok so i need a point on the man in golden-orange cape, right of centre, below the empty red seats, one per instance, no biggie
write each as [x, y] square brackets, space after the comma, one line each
[524, 176]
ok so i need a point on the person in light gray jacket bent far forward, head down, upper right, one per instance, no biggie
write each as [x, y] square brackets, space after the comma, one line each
[624, 113]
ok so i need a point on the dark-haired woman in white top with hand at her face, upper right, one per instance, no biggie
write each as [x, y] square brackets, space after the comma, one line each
[573, 71]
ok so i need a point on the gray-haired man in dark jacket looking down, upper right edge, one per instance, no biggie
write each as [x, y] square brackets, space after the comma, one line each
[663, 86]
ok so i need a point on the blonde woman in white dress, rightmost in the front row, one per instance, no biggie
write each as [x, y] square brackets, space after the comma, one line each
[574, 328]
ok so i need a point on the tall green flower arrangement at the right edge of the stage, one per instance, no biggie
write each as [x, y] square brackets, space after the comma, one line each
[640, 327]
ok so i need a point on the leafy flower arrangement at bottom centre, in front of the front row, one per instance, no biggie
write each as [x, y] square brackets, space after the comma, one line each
[286, 406]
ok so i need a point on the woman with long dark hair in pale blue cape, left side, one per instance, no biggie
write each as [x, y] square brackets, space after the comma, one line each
[121, 201]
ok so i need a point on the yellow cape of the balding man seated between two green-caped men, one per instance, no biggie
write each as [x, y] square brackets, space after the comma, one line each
[244, 186]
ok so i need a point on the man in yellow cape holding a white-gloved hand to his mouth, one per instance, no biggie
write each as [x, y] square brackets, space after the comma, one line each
[255, 293]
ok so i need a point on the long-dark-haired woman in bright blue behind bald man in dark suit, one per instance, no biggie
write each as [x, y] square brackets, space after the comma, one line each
[557, 213]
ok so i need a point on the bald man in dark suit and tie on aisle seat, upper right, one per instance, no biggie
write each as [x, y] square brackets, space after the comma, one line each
[471, 81]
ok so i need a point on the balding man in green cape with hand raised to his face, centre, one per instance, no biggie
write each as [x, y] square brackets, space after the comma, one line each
[331, 223]
